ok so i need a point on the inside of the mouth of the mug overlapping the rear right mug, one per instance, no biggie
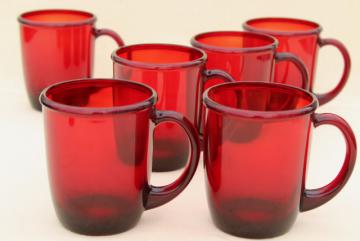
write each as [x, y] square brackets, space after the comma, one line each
[234, 39]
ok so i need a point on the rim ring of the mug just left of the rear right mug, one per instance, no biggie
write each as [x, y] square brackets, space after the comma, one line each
[271, 45]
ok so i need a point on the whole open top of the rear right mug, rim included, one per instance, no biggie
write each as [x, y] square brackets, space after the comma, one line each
[311, 27]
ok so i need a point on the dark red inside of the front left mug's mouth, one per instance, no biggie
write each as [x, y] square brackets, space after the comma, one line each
[97, 93]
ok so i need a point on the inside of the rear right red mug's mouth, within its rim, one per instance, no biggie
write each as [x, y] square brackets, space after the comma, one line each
[282, 24]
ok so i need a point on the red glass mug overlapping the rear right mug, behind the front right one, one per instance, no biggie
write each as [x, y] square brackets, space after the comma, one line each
[246, 56]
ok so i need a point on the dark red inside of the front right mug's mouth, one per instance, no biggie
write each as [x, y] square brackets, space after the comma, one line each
[263, 98]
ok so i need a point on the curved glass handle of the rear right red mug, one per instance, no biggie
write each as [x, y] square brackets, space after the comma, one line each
[326, 97]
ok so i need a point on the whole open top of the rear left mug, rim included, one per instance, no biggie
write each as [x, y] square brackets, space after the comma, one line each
[32, 18]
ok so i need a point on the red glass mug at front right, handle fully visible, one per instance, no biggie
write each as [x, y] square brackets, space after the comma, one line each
[256, 188]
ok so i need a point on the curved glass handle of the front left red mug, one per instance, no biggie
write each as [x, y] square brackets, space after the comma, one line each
[159, 195]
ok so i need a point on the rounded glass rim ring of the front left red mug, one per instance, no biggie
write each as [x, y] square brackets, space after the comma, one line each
[54, 105]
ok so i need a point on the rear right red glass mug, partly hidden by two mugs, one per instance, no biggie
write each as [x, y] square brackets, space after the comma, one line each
[302, 38]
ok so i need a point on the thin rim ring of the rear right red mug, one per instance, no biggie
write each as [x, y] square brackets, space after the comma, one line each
[316, 30]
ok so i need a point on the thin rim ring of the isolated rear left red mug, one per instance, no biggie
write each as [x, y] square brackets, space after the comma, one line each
[23, 20]
